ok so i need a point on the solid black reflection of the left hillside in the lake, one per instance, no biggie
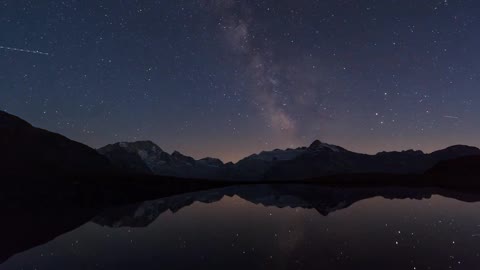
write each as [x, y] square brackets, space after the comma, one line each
[37, 211]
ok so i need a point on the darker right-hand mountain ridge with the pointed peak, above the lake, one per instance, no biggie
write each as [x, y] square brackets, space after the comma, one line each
[317, 162]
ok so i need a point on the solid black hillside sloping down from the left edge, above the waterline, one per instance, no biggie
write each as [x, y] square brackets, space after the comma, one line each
[27, 150]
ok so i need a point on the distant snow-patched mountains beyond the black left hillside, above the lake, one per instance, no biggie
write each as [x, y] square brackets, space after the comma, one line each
[317, 160]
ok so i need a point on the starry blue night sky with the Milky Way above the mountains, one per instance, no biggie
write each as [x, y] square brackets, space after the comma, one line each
[230, 78]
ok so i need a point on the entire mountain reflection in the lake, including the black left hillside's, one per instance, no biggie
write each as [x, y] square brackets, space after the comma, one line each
[40, 213]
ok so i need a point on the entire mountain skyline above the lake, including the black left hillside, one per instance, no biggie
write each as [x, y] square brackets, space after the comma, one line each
[27, 150]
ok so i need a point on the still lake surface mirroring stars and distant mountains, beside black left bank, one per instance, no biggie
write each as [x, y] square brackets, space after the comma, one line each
[268, 227]
